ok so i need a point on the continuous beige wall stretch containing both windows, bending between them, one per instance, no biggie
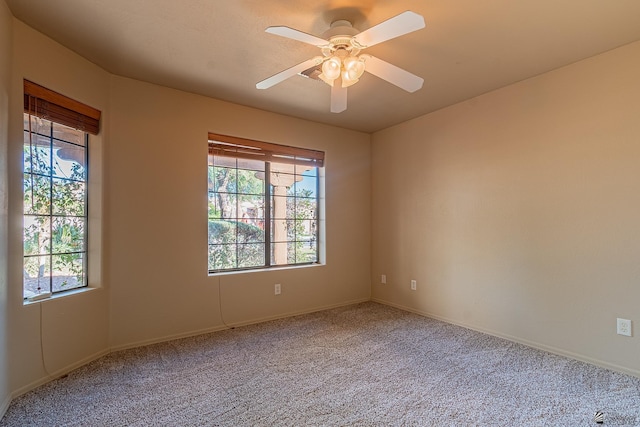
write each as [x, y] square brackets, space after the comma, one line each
[149, 244]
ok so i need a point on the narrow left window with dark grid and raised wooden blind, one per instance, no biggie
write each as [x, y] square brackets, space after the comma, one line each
[55, 159]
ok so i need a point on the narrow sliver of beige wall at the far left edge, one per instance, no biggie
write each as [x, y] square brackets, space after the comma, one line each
[6, 35]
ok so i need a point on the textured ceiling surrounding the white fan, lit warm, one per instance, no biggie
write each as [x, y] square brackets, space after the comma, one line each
[218, 48]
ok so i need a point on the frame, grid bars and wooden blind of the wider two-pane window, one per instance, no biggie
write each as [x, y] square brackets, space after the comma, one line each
[269, 154]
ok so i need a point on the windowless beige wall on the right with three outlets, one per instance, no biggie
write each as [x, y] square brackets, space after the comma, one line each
[517, 211]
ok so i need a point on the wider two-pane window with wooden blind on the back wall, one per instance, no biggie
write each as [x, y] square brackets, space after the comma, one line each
[263, 204]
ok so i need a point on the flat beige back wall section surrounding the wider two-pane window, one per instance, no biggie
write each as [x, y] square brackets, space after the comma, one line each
[157, 184]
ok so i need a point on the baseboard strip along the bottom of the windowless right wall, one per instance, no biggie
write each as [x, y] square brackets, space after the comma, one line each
[532, 344]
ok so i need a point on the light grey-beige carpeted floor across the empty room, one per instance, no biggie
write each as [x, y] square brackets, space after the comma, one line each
[363, 365]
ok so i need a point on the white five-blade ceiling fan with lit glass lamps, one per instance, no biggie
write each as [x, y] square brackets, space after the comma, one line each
[342, 64]
